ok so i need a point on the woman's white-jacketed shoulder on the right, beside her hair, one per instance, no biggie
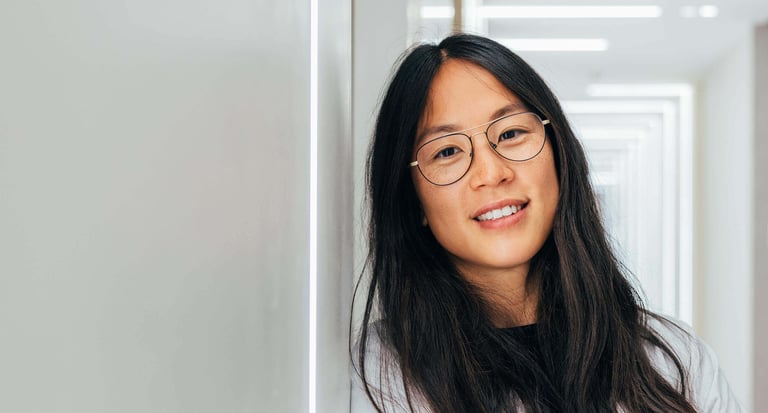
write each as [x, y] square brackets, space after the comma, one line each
[709, 389]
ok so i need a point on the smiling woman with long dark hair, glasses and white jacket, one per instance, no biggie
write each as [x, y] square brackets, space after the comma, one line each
[493, 287]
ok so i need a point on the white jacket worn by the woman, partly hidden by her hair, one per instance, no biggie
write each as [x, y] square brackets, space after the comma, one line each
[710, 390]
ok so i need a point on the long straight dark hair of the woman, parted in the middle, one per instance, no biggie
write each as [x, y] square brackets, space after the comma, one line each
[434, 326]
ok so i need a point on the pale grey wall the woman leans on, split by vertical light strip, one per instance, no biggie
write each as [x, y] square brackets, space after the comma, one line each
[154, 180]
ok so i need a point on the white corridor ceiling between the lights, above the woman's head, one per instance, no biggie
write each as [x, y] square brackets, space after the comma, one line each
[670, 48]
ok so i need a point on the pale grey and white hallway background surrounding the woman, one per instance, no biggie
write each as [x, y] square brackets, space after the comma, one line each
[181, 183]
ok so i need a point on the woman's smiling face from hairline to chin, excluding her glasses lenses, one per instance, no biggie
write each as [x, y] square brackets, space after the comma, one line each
[462, 96]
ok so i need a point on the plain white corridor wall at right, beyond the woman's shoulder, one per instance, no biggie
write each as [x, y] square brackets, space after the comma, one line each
[724, 201]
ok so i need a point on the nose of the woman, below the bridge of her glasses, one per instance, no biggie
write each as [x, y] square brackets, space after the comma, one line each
[488, 167]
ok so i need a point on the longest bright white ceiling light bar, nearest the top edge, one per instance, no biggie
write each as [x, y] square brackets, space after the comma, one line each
[557, 12]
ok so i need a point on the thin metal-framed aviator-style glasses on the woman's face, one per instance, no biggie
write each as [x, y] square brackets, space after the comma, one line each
[446, 159]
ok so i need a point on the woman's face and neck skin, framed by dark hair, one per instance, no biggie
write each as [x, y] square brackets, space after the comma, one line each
[472, 217]
